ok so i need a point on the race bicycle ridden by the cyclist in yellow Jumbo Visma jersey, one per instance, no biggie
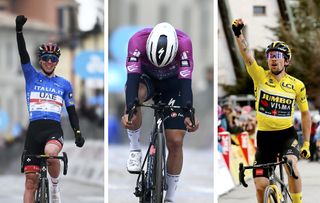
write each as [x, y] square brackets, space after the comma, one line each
[272, 193]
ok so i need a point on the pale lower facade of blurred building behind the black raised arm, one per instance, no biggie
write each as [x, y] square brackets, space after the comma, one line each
[12, 84]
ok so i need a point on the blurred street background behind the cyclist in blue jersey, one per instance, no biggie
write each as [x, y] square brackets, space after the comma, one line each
[78, 29]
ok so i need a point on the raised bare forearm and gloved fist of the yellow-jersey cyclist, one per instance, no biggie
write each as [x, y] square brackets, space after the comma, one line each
[247, 56]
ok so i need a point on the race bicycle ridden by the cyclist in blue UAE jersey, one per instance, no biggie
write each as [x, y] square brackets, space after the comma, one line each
[42, 193]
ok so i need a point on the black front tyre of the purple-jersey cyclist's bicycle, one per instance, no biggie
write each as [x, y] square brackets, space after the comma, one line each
[158, 170]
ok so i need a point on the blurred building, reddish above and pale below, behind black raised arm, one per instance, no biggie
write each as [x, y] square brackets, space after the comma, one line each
[47, 21]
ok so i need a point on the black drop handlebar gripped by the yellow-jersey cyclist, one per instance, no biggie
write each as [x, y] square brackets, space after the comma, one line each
[285, 160]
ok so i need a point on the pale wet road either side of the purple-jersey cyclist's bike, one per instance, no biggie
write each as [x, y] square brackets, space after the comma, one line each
[195, 185]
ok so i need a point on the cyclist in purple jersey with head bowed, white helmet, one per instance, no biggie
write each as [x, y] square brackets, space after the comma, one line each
[159, 66]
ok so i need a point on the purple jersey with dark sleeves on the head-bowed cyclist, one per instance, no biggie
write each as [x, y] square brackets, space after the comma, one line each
[138, 63]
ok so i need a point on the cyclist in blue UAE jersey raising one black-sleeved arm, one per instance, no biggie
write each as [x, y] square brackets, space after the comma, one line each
[46, 93]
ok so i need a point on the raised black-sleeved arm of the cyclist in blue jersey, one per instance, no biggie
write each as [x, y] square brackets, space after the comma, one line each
[24, 56]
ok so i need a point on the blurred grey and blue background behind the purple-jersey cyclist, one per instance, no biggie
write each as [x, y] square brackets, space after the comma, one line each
[191, 16]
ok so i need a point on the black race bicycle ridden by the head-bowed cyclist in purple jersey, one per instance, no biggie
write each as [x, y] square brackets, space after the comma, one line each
[151, 182]
